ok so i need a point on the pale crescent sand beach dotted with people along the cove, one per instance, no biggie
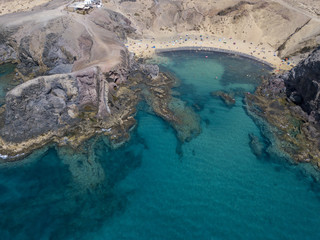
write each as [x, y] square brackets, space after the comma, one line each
[144, 47]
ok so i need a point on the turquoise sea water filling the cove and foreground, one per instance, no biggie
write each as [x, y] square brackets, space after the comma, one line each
[216, 189]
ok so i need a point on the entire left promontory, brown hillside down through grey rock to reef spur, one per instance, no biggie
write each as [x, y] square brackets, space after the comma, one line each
[79, 81]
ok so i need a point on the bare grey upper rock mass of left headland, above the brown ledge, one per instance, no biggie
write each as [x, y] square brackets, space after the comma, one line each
[51, 103]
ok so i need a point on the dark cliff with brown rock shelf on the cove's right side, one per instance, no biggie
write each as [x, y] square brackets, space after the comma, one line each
[290, 104]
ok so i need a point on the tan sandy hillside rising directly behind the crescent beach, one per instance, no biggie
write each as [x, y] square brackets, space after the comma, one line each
[283, 25]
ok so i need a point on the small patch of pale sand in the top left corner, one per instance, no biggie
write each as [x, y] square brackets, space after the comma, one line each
[11, 6]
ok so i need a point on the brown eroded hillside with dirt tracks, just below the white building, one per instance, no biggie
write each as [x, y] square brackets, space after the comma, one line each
[51, 38]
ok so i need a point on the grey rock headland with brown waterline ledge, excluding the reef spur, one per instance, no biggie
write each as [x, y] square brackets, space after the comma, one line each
[63, 108]
